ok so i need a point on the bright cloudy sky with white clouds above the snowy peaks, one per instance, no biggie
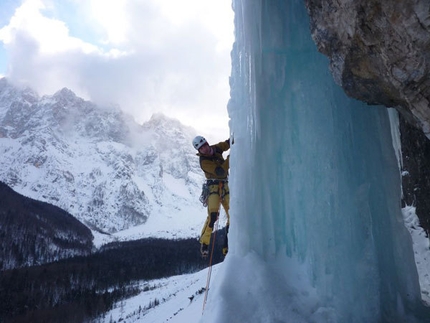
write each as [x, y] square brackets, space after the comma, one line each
[147, 56]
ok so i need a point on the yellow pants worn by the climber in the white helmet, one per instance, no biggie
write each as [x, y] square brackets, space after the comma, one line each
[215, 199]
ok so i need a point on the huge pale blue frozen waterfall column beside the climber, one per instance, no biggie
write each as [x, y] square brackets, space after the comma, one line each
[316, 228]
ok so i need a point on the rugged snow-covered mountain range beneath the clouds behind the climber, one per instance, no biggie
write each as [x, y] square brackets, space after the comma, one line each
[99, 165]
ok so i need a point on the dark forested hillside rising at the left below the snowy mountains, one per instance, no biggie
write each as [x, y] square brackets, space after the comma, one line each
[35, 232]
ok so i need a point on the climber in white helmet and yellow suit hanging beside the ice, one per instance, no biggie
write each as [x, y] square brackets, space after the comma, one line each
[215, 191]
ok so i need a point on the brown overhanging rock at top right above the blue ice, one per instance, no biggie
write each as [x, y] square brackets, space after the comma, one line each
[379, 51]
